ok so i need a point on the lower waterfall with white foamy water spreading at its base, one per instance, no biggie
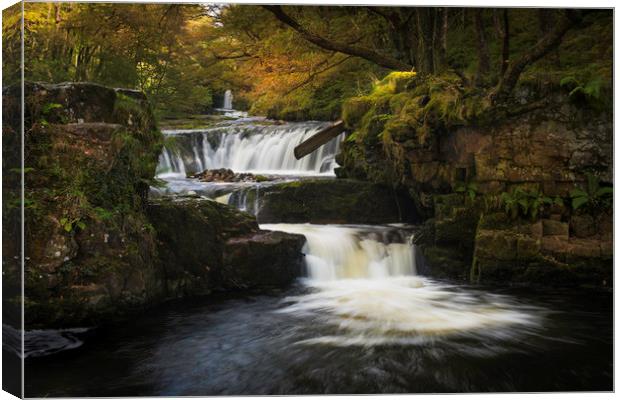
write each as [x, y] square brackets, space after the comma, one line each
[364, 285]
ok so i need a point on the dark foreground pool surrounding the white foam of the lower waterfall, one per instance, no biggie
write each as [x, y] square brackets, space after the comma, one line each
[232, 346]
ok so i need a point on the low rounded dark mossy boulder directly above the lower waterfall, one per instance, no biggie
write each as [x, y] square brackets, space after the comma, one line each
[333, 201]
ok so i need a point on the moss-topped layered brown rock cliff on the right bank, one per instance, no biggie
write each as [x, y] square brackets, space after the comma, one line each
[468, 165]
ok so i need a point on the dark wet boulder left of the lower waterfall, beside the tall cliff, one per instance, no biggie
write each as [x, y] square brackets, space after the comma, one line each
[207, 246]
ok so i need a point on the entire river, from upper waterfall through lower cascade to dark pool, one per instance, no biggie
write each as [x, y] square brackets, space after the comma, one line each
[362, 320]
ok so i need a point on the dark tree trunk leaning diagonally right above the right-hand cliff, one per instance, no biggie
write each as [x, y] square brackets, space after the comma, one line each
[549, 42]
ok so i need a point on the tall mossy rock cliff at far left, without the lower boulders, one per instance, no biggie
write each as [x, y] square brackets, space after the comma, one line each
[90, 153]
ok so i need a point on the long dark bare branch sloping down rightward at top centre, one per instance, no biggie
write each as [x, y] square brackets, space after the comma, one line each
[367, 54]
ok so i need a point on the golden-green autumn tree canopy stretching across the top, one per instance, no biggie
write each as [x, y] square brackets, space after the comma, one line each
[302, 61]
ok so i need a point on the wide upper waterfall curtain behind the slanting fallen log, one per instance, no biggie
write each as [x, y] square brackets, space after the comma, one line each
[266, 149]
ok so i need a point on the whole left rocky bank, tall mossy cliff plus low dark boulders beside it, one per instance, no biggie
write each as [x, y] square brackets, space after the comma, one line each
[91, 251]
